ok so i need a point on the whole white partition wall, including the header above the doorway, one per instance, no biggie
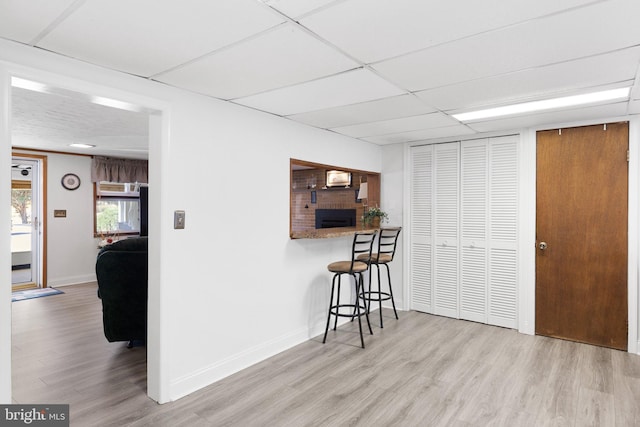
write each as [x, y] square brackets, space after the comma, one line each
[231, 288]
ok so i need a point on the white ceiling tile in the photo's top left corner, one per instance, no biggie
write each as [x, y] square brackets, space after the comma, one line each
[23, 20]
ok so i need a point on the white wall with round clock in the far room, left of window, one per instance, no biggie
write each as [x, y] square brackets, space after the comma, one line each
[71, 247]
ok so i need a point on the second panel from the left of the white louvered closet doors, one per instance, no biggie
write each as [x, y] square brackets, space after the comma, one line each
[445, 266]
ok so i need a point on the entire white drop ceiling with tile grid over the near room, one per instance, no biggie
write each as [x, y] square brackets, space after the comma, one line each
[384, 71]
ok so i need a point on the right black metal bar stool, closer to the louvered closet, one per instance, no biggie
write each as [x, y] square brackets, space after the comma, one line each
[387, 241]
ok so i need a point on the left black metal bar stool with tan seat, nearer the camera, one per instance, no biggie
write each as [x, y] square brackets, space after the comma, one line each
[361, 247]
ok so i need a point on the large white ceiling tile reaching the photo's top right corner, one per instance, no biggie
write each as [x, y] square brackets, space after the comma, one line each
[541, 42]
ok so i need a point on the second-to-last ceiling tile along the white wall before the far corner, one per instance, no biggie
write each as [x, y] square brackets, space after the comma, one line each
[383, 127]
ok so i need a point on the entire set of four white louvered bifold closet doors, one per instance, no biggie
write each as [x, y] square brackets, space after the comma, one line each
[463, 260]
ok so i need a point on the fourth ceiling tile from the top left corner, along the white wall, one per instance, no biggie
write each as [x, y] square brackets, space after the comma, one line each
[347, 88]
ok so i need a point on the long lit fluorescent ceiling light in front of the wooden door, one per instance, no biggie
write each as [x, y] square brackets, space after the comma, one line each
[545, 104]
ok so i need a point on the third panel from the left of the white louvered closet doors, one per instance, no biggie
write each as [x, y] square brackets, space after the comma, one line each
[473, 229]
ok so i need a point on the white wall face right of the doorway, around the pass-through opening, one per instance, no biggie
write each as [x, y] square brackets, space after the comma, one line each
[241, 290]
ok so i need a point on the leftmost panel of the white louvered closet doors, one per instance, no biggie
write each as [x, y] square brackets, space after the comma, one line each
[421, 244]
